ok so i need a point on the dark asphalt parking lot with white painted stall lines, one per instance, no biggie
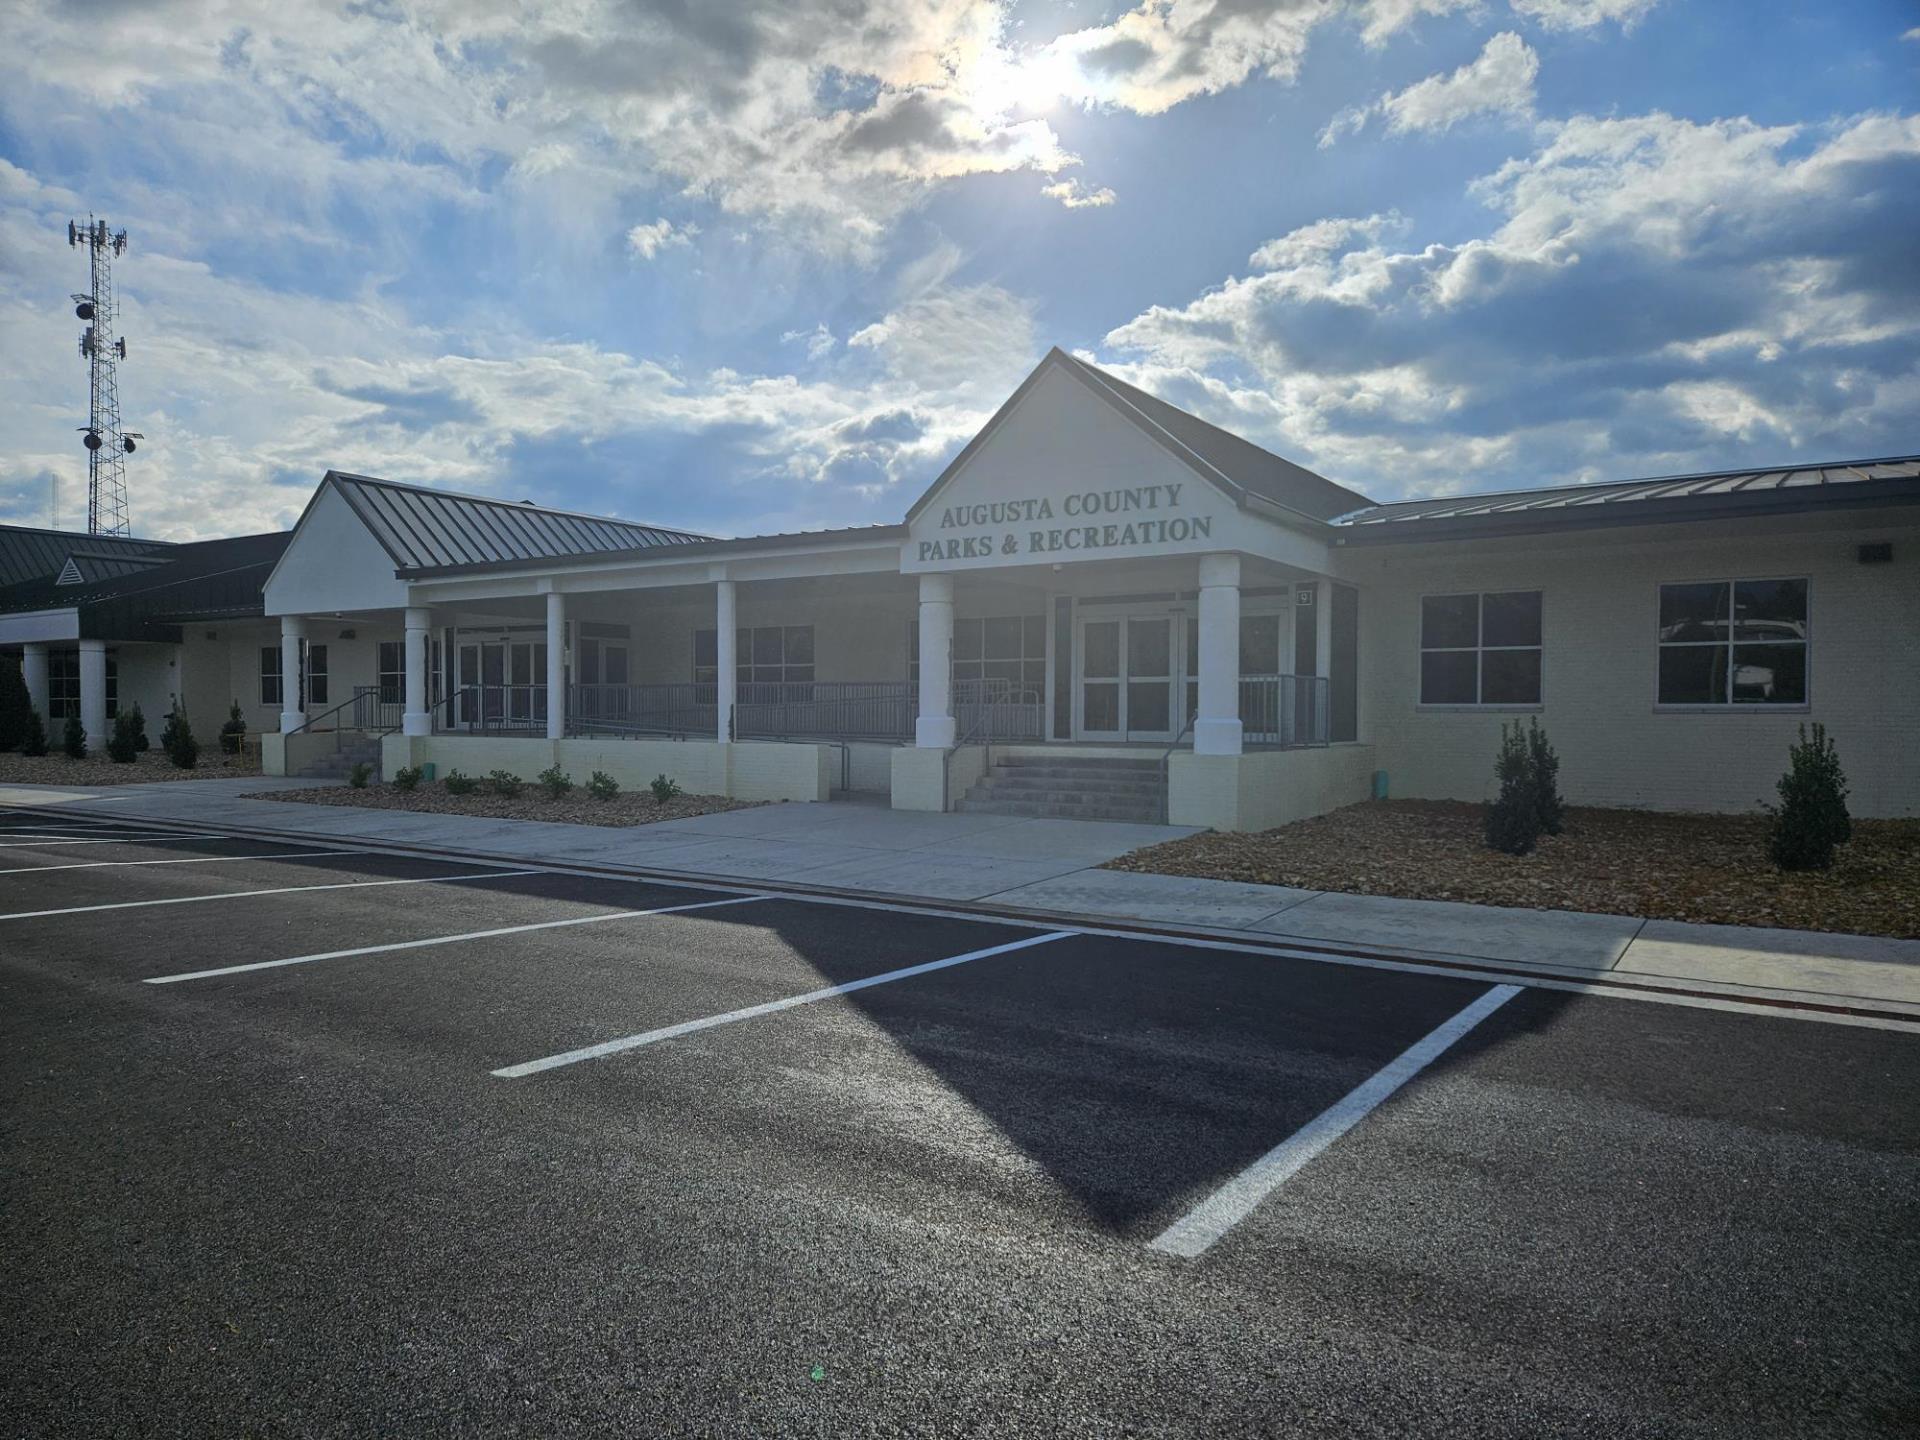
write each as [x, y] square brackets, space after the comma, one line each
[325, 1143]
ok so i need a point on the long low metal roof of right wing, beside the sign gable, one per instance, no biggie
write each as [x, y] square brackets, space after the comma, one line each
[1660, 500]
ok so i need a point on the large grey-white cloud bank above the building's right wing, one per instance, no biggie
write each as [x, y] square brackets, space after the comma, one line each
[1656, 295]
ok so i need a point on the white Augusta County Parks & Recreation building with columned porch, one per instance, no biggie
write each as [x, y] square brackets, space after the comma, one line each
[1105, 608]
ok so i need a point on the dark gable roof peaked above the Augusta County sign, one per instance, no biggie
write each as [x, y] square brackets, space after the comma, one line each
[1234, 466]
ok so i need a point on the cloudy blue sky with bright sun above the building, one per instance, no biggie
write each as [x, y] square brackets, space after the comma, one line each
[757, 266]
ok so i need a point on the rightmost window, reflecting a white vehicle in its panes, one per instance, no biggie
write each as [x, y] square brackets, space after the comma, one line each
[1735, 642]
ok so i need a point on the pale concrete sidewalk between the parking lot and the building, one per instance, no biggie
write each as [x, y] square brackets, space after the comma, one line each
[1051, 867]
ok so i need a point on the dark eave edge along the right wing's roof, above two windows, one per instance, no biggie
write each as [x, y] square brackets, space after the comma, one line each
[1860, 496]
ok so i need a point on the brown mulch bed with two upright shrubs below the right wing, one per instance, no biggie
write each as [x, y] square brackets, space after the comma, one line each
[1627, 863]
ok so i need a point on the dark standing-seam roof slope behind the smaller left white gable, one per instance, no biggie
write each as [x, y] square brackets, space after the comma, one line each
[429, 529]
